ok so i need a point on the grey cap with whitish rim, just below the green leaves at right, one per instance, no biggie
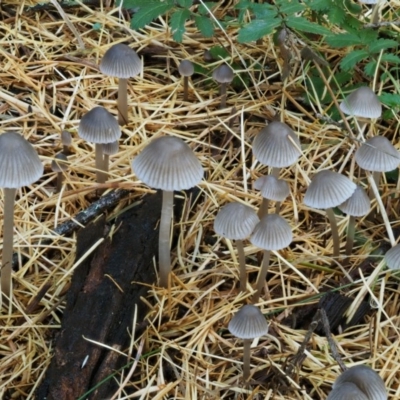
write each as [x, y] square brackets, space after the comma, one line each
[362, 102]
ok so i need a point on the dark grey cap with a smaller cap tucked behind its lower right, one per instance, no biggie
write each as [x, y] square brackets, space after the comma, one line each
[99, 126]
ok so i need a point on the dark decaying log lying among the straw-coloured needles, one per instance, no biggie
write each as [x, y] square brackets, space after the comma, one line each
[100, 303]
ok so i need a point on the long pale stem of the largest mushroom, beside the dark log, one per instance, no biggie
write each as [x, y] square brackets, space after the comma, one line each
[164, 256]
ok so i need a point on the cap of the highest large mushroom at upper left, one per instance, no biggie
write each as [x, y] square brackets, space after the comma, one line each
[121, 61]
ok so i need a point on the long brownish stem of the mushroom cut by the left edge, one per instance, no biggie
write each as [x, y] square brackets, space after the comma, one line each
[8, 227]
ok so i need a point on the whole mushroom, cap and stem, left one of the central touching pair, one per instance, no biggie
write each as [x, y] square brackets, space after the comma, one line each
[236, 221]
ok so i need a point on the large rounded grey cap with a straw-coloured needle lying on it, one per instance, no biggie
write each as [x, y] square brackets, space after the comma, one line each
[276, 145]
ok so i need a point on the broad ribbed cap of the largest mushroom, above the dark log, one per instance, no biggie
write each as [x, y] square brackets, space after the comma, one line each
[168, 163]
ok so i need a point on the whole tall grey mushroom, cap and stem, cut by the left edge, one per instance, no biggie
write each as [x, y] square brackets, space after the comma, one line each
[19, 166]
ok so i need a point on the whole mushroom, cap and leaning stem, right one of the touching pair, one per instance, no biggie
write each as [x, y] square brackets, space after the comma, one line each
[271, 233]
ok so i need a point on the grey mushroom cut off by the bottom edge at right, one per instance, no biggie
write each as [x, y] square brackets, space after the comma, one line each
[361, 381]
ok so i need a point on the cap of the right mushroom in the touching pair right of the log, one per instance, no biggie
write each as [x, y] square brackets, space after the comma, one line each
[272, 233]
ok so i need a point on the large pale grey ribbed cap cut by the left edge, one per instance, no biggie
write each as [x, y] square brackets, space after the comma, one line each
[19, 162]
